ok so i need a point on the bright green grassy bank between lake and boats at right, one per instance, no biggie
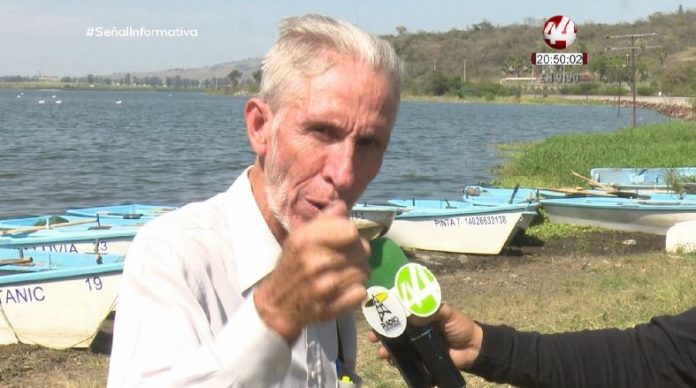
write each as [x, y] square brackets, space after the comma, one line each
[548, 163]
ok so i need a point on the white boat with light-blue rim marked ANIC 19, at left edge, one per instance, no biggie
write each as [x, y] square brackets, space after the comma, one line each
[56, 300]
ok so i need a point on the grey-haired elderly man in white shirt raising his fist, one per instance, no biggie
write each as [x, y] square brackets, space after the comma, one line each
[257, 286]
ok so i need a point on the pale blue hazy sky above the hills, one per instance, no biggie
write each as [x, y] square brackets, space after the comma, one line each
[47, 37]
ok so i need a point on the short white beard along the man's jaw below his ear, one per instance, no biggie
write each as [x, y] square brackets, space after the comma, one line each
[276, 187]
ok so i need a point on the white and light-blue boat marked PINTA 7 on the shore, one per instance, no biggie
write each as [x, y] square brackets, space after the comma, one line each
[457, 226]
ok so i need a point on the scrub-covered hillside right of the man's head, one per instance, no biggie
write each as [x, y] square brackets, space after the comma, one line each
[484, 52]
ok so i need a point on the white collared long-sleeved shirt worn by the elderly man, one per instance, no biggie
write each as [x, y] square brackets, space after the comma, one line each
[186, 314]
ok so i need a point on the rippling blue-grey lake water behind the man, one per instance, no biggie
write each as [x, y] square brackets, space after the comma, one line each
[162, 148]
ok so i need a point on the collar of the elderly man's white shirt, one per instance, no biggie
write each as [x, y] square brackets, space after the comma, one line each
[256, 250]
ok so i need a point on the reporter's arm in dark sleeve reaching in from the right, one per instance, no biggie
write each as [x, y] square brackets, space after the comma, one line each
[661, 353]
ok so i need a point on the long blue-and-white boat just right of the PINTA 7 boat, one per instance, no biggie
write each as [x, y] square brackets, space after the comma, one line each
[655, 215]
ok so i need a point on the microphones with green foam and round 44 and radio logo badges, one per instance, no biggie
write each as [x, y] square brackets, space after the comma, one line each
[397, 288]
